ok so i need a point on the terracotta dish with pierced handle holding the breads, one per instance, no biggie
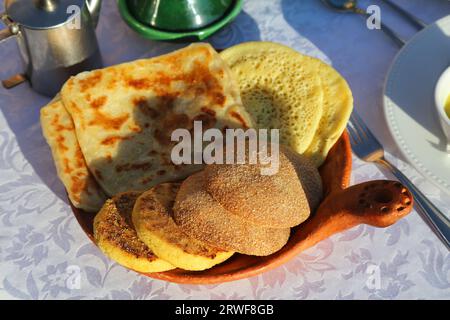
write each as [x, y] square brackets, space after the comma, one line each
[377, 203]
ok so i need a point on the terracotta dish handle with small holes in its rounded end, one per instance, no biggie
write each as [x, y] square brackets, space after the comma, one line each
[379, 203]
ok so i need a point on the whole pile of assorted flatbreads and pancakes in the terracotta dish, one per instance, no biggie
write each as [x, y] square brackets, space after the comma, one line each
[110, 132]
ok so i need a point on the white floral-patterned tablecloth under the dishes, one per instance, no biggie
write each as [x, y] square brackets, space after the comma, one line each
[43, 249]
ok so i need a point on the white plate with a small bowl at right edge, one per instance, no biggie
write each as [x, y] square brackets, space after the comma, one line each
[409, 102]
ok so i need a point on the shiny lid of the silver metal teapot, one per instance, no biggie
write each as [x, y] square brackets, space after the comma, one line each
[43, 14]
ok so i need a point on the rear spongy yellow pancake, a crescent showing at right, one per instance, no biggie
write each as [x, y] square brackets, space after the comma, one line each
[337, 108]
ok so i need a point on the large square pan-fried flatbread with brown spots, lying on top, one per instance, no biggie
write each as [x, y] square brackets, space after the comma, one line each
[124, 115]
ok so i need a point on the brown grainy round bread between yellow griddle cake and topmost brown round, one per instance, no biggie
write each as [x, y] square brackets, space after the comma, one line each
[199, 215]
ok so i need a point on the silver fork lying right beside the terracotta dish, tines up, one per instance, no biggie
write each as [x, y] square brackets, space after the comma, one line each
[367, 147]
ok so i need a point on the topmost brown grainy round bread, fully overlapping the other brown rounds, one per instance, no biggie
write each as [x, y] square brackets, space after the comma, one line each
[275, 201]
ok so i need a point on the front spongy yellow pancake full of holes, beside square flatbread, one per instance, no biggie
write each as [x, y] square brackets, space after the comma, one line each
[280, 88]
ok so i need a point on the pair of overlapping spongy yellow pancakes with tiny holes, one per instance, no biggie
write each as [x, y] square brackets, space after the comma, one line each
[270, 98]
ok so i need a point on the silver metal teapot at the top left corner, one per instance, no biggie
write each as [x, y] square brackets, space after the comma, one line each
[56, 39]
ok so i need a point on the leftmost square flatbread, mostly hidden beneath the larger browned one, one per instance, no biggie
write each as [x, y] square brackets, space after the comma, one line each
[59, 131]
